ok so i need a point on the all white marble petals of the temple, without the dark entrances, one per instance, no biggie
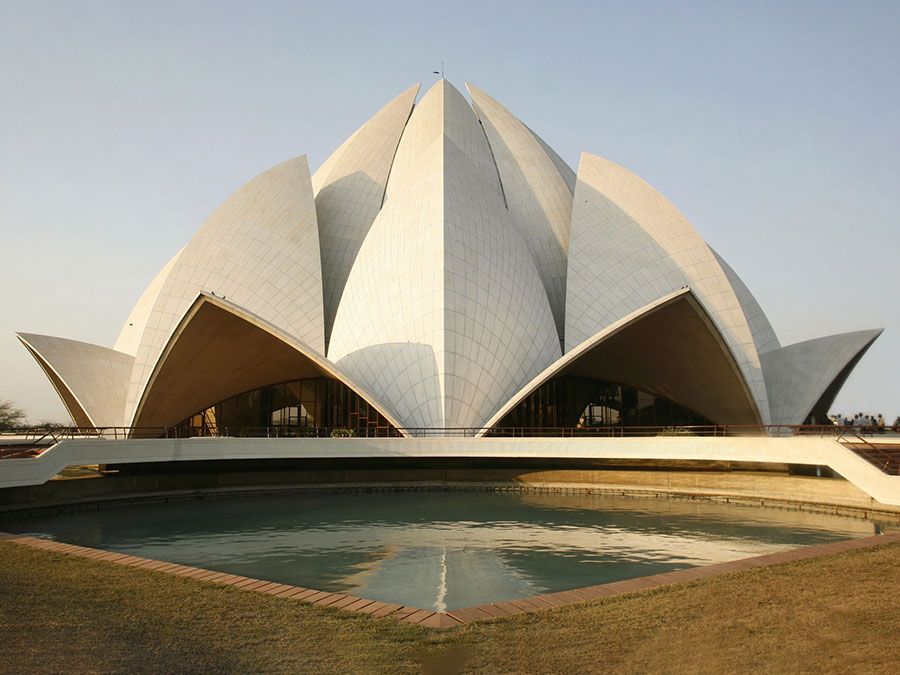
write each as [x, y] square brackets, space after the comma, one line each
[443, 261]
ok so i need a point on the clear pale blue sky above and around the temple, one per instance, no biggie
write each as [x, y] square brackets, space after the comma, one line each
[774, 127]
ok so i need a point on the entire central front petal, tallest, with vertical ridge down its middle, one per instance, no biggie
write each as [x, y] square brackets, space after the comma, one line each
[444, 315]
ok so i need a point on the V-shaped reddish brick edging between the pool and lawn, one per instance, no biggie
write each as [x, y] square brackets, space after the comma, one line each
[455, 617]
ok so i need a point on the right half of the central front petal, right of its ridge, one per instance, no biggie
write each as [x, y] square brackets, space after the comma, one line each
[499, 327]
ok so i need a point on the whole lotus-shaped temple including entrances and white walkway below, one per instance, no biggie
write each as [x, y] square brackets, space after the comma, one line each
[446, 285]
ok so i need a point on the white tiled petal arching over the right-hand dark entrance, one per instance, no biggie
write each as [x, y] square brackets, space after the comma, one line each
[628, 246]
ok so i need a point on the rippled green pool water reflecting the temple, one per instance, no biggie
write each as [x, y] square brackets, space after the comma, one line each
[442, 550]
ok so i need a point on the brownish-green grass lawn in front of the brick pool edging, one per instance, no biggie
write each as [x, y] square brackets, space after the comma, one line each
[838, 613]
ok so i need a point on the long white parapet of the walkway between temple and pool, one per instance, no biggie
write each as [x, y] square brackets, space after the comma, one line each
[879, 486]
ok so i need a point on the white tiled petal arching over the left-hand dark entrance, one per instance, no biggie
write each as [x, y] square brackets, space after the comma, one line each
[261, 249]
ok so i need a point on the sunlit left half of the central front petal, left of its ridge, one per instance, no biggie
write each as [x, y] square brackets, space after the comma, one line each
[388, 332]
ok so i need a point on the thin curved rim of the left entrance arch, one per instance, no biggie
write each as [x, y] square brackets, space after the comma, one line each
[318, 363]
